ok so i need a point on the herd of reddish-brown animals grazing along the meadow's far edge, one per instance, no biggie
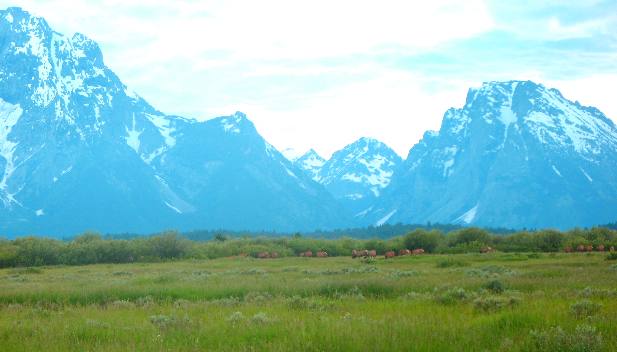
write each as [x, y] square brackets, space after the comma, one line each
[366, 253]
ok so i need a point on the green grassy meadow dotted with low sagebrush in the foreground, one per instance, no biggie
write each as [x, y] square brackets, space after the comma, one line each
[454, 302]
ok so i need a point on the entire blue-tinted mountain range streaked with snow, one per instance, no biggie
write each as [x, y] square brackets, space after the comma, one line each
[79, 150]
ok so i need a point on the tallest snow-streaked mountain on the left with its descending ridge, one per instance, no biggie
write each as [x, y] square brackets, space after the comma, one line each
[78, 151]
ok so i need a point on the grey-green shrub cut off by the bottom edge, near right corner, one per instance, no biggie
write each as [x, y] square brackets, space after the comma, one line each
[585, 338]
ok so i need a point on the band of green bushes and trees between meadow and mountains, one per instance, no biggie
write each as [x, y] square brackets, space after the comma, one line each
[93, 248]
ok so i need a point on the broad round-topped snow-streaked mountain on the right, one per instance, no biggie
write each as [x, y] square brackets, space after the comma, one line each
[516, 155]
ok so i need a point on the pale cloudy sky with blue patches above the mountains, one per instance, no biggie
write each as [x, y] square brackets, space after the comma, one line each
[323, 73]
